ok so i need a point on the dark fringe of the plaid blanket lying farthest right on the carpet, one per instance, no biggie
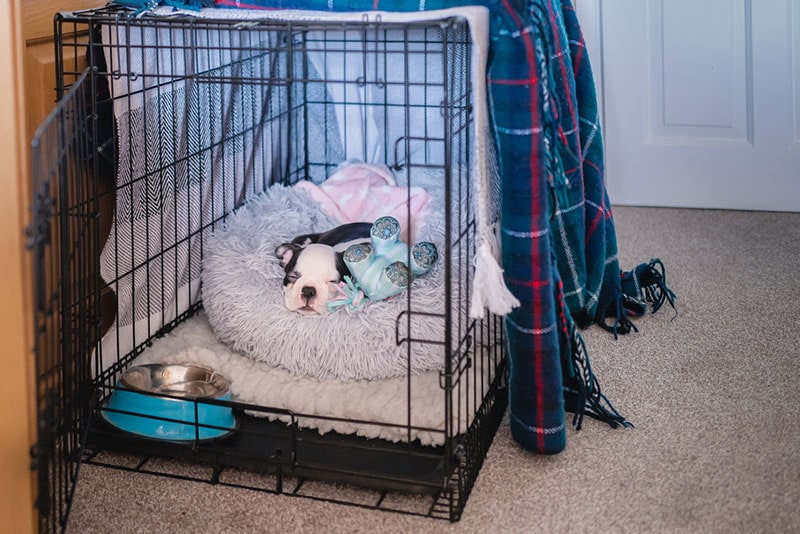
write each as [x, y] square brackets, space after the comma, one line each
[647, 283]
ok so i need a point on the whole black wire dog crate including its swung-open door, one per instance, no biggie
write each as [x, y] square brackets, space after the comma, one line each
[175, 127]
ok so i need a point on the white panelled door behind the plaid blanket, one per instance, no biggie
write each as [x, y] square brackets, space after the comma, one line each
[701, 100]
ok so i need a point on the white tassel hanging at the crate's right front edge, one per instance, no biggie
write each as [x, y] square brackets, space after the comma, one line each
[489, 288]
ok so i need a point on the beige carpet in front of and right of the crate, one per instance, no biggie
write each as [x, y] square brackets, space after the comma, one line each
[714, 394]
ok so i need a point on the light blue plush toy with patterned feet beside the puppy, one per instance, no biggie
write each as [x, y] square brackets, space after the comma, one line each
[380, 269]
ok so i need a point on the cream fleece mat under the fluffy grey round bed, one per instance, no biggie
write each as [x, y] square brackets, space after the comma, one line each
[379, 401]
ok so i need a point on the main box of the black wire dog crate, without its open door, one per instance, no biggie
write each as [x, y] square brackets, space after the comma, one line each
[198, 126]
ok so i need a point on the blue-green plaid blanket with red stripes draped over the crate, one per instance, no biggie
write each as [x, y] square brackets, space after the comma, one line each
[558, 237]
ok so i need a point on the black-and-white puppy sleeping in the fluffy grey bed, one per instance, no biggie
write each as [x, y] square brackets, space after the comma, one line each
[314, 265]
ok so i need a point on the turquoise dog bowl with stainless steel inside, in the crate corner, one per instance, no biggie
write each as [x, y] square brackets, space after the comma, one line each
[165, 402]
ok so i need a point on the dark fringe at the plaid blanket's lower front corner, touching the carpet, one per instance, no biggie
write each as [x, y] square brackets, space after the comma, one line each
[590, 400]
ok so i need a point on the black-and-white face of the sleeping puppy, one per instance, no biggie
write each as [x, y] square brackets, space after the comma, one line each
[312, 272]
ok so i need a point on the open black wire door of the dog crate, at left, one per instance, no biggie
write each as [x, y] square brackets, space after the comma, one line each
[64, 240]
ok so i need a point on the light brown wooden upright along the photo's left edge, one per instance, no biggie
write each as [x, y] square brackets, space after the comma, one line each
[16, 329]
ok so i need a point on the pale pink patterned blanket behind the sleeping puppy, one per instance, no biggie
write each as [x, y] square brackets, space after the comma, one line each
[362, 192]
